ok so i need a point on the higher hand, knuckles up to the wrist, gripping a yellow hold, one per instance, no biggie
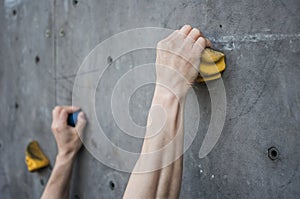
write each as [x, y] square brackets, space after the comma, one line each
[178, 59]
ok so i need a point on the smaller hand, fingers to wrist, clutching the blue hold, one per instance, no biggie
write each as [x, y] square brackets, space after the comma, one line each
[67, 137]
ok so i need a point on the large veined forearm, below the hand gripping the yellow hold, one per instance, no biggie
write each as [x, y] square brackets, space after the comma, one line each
[166, 140]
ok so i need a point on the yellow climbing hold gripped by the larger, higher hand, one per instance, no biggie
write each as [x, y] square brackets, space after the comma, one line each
[211, 66]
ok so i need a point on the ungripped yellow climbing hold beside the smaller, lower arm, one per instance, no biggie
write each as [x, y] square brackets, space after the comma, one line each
[34, 157]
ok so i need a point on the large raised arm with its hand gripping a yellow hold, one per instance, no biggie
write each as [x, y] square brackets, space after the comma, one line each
[158, 171]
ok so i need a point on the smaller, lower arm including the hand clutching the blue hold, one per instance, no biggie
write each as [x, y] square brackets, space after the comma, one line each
[68, 143]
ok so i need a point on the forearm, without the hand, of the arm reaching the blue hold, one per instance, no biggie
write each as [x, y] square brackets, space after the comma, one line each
[58, 185]
